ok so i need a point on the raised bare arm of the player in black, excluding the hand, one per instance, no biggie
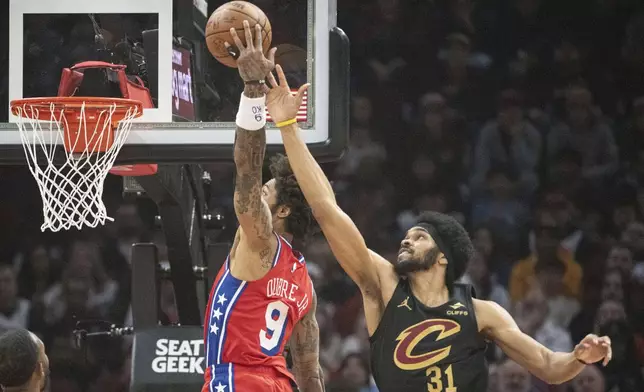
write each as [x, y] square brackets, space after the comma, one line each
[344, 238]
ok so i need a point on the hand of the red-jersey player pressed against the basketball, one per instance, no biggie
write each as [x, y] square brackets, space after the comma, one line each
[253, 65]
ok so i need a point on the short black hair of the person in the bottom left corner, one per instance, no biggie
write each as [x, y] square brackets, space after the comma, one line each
[18, 357]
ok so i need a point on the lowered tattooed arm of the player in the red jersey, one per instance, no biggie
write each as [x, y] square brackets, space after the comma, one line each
[305, 349]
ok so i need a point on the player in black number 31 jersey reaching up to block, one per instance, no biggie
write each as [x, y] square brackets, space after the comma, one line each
[427, 333]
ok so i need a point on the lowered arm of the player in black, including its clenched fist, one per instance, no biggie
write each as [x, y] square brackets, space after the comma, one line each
[551, 367]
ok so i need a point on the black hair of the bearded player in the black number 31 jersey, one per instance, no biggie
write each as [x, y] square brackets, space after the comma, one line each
[456, 241]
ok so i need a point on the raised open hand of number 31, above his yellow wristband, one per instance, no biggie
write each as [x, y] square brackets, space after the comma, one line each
[281, 104]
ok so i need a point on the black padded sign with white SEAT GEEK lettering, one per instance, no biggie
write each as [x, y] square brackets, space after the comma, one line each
[168, 357]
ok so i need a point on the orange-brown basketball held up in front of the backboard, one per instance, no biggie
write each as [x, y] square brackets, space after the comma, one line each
[232, 15]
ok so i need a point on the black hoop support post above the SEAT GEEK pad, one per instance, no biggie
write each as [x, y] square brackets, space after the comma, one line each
[176, 190]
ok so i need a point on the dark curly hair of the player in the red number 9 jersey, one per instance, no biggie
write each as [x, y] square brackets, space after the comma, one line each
[300, 221]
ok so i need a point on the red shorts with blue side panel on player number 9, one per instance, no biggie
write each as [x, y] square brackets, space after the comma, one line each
[235, 378]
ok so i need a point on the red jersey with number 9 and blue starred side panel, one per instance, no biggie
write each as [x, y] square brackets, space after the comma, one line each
[247, 324]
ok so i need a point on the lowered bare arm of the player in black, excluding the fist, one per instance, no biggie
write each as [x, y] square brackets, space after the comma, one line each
[496, 324]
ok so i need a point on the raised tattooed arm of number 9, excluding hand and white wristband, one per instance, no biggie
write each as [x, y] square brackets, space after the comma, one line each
[252, 212]
